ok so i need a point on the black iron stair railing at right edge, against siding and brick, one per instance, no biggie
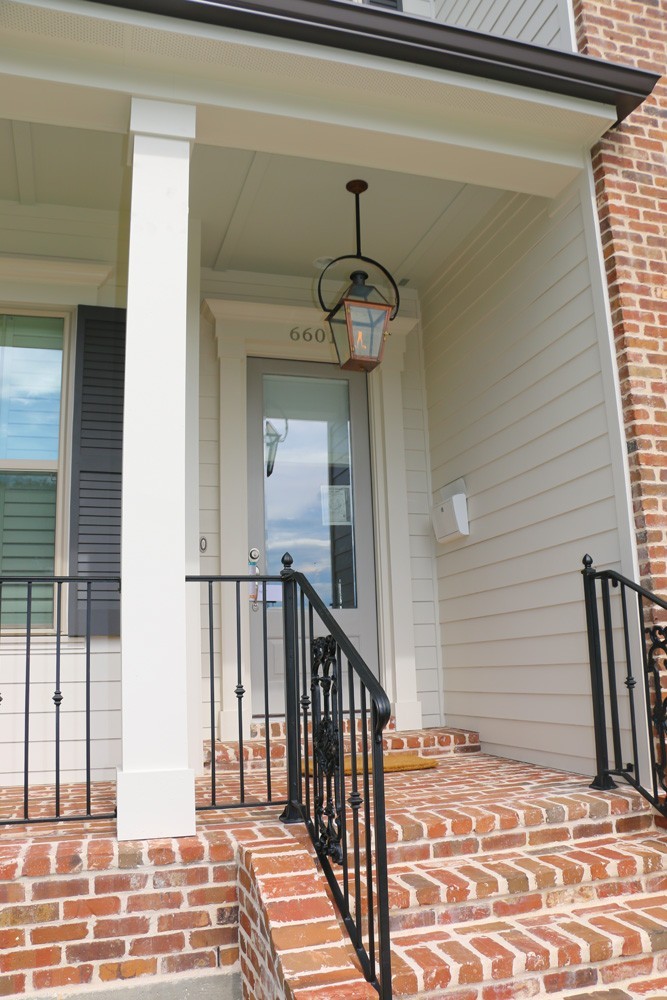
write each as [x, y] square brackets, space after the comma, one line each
[627, 644]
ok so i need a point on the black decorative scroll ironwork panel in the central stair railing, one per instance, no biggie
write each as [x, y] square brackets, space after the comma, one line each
[326, 749]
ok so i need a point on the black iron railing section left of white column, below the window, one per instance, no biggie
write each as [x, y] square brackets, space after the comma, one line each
[37, 652]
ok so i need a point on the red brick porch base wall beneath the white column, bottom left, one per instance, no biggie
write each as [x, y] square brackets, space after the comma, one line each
[91, 910]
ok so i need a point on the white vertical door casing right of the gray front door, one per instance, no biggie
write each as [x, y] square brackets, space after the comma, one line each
[396, 625]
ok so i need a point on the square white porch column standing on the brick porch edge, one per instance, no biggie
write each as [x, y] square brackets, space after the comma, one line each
[156, 785]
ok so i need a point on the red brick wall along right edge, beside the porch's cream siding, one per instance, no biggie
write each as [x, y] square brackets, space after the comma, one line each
[630, 168]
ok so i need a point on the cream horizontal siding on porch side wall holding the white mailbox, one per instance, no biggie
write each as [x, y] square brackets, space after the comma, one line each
[517, 408]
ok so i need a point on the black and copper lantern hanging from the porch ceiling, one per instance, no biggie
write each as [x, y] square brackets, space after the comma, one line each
[359, 320]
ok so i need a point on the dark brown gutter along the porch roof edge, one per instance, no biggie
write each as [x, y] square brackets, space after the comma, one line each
[392, 35]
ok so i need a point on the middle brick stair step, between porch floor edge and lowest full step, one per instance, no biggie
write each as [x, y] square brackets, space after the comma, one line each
[431, 893]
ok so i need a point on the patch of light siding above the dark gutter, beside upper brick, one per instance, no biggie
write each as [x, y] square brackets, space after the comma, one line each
[541, 22]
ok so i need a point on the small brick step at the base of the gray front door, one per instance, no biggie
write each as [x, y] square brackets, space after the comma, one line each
[438, 743]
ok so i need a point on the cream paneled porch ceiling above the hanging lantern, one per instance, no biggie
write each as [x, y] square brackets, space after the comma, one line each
[259, 212]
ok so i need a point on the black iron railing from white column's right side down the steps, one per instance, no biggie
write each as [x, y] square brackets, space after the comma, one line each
[335, 711]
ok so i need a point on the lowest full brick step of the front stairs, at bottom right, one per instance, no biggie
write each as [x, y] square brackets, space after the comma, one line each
[532, 955]
